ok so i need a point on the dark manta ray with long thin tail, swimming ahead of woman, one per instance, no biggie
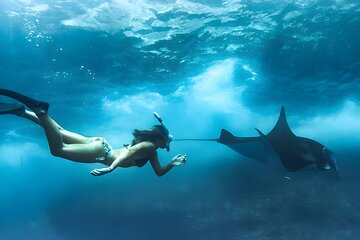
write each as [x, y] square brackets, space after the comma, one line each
[294, 152]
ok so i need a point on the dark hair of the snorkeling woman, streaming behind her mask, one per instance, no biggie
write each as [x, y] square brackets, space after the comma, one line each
[156, 132]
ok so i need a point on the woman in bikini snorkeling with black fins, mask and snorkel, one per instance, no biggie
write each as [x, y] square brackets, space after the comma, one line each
[75, 147]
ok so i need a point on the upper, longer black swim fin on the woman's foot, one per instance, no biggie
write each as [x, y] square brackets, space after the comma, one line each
[38, 107]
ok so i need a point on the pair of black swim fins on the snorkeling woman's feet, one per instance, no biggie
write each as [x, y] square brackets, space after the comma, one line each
[38, 107]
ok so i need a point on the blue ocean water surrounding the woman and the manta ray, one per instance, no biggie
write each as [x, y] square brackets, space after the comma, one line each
[105, 66]
